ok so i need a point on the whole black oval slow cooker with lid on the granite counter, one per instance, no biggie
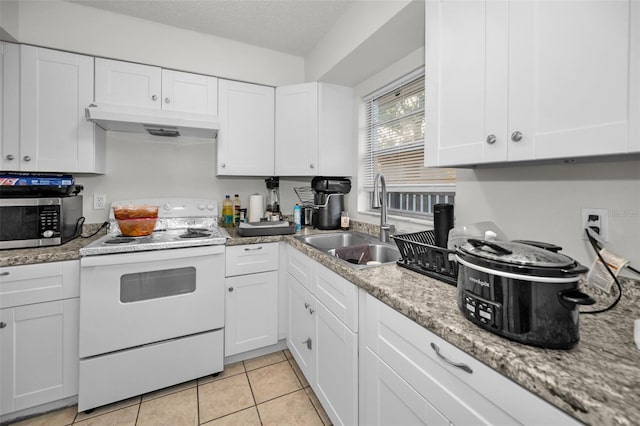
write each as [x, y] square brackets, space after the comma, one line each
[522, 292]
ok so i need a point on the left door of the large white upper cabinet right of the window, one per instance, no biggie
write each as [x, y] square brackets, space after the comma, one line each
[466, 69]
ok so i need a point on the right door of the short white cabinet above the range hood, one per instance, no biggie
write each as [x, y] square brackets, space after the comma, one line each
[192, 93]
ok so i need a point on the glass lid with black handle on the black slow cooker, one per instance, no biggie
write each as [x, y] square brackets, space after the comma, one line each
[510, 252]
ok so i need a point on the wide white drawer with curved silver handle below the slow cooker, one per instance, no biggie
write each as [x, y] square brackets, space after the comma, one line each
[478, 396]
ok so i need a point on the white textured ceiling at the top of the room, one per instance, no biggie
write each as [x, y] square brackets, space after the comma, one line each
[290, 26]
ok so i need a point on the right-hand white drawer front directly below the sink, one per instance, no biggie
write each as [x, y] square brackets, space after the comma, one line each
[338, 295]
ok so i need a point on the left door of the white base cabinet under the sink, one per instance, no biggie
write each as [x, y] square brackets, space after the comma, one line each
[302, 333]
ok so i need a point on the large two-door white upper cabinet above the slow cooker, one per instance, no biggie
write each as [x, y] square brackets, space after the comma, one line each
[515, 81]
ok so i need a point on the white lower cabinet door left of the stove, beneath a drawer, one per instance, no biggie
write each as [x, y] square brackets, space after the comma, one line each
[39, 354]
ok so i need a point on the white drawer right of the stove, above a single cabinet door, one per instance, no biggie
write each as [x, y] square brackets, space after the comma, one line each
[251, 258]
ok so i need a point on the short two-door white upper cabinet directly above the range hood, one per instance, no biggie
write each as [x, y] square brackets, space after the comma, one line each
[146, 86]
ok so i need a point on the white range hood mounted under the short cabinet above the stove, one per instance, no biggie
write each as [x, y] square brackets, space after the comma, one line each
[118, 118]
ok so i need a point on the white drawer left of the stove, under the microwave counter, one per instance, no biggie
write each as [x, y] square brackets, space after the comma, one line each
[27, 284]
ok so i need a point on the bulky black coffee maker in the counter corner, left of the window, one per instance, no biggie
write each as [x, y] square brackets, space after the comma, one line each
[328, 200]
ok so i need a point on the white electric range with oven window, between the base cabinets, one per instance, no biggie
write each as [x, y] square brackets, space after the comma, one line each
[152, 308]
